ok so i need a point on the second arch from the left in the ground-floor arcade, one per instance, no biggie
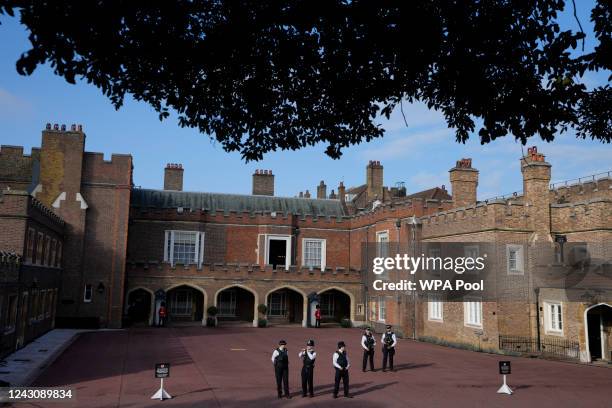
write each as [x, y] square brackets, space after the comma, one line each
[184, 304]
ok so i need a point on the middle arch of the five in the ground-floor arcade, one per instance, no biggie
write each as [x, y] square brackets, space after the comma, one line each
[236, 304]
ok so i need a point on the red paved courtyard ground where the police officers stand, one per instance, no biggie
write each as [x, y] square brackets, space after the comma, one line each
[111, 369]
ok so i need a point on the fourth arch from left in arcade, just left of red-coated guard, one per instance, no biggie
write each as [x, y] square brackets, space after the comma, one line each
[286, 305]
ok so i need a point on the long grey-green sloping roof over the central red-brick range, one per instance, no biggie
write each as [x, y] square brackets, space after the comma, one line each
[147, 198]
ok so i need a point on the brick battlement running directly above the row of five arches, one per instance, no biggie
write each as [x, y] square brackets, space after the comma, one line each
[241, 271]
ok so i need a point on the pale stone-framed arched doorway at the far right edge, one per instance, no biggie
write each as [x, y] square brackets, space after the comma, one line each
[598, 319]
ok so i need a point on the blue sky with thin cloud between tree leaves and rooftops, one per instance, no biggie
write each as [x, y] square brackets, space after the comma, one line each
[420, 154]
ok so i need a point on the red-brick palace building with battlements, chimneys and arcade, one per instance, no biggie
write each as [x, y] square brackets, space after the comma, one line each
[128, 249]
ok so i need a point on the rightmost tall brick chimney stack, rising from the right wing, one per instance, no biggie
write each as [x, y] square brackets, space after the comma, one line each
[536, 185]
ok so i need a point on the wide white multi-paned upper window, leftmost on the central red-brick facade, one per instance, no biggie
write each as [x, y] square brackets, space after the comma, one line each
[184, 247]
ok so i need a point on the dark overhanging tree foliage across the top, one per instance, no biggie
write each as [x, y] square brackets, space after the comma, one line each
[262, 75]
